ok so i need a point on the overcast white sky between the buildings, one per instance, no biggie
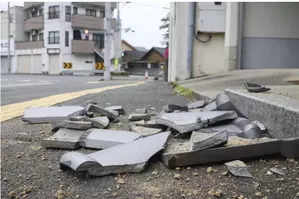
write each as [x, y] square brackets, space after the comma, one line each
[142, 17]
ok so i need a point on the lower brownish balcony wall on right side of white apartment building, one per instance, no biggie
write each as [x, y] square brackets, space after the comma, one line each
[83, 46]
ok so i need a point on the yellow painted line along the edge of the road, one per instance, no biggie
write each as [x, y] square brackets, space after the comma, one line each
[14, 110]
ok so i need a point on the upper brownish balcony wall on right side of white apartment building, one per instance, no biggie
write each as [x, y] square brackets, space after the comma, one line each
[87, 22]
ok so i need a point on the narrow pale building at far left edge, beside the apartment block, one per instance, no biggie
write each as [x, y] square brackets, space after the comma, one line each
[16, 34]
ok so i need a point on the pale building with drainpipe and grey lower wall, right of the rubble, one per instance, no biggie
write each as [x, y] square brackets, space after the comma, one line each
[230, 36]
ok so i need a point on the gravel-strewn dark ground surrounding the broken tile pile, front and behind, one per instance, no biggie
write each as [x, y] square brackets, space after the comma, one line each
[30, 171]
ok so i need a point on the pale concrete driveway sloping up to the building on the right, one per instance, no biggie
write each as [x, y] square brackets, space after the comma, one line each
[277, 79]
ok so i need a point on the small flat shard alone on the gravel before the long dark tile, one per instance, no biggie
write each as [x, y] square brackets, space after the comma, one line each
[238, 168]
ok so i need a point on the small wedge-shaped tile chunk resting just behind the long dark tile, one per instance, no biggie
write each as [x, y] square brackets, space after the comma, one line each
[201, 141]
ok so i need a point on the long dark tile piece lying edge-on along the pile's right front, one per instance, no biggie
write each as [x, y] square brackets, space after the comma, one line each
[178, 152]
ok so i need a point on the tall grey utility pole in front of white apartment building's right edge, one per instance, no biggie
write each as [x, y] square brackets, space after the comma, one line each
[108, 41]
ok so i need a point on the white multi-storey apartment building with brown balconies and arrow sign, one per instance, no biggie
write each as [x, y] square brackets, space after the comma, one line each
[61, 36]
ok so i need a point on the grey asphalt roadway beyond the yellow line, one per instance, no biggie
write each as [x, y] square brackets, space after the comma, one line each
[19, 88]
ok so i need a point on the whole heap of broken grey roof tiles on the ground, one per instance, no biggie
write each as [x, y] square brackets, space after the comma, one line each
[197, 133]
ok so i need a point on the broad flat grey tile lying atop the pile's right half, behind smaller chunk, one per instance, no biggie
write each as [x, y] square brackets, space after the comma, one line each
[185, 122]
